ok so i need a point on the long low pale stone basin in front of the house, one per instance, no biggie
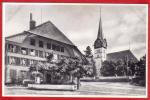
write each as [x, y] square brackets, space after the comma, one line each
[70, 87]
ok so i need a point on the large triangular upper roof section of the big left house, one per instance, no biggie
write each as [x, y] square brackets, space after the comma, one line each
[49, 30]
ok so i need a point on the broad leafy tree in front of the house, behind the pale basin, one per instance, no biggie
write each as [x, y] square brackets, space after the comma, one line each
[63, 71]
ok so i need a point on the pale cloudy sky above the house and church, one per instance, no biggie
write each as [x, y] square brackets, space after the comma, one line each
[124, 26]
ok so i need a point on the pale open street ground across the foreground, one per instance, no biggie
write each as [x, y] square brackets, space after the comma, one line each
[86, 88]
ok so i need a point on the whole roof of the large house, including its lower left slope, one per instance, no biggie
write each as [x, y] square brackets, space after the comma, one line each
[47, 30]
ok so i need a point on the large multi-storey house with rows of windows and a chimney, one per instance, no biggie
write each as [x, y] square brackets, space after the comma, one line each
[24, 49]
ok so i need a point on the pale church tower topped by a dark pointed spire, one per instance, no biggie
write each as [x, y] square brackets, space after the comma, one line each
[100, 46]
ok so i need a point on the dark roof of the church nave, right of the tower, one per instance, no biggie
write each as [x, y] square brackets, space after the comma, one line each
[115, 56]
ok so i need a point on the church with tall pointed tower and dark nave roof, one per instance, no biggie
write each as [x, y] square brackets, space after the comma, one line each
[101, 55]
